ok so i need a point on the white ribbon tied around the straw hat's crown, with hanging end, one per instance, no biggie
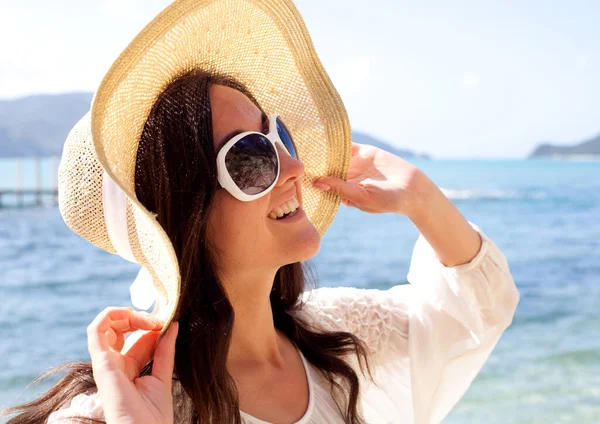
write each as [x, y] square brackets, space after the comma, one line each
[114, 203]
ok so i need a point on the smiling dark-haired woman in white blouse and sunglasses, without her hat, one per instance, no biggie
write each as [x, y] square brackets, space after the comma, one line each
[248, 344]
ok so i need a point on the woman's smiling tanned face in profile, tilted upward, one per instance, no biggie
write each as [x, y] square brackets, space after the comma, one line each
[247, 239]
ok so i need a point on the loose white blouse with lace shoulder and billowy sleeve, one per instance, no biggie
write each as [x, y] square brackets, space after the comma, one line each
[427, 340]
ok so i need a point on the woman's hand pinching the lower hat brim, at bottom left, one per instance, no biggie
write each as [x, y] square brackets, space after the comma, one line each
[127, 398]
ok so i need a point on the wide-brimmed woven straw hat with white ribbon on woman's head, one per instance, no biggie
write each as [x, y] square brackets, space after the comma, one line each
[262, 43]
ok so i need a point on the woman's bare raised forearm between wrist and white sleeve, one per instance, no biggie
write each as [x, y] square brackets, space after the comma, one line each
[443, 226]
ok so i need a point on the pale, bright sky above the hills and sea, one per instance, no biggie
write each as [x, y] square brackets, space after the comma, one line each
[457, 79]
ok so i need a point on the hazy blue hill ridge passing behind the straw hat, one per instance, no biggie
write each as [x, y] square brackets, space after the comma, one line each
[39, 125]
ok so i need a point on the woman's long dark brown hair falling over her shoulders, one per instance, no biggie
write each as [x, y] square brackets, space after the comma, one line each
[176, 178]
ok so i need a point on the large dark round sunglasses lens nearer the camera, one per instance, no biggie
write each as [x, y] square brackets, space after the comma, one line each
[252, 163]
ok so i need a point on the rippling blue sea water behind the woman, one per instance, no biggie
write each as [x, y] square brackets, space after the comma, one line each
[544, 215]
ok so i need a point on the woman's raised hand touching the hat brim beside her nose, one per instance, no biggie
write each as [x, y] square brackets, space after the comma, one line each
[379, 182]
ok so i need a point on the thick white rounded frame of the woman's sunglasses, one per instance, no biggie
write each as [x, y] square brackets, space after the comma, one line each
[223, 175]
